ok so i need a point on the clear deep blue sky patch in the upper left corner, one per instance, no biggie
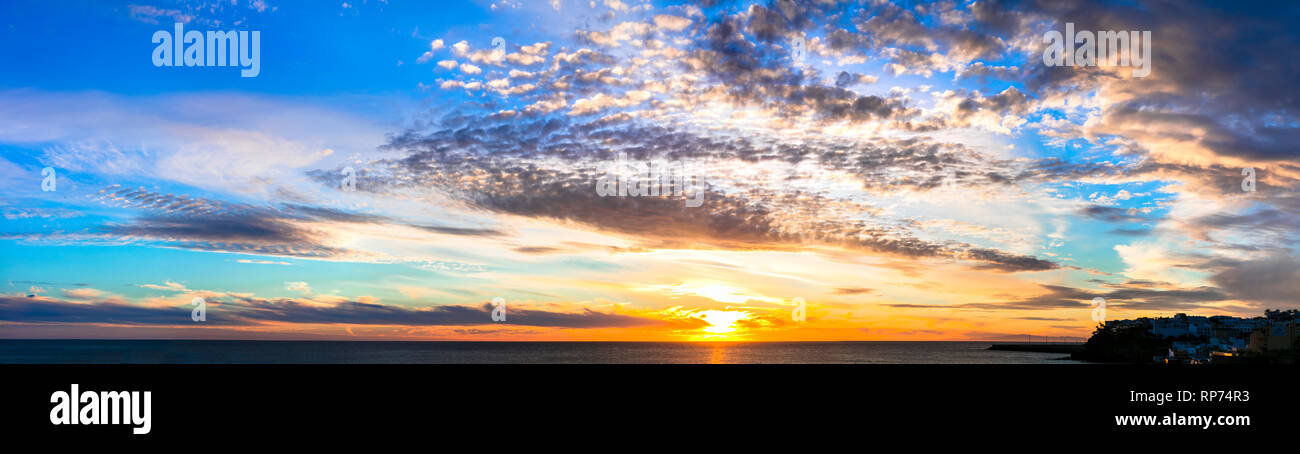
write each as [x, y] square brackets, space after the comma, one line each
[310, 53]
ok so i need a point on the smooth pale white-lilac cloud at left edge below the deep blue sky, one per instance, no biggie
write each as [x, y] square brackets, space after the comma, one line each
[237, 144]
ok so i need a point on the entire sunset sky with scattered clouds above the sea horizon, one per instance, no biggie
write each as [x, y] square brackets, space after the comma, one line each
[831, 171]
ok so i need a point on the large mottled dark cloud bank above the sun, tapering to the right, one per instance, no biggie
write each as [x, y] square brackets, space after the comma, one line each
[549, 168]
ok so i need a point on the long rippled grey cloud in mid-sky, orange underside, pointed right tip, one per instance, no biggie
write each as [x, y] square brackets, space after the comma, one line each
[489, 171]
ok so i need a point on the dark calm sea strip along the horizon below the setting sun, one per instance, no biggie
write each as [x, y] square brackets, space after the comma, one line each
[528, 353]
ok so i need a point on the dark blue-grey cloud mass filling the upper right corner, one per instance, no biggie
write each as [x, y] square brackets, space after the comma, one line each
[1220, 71]
